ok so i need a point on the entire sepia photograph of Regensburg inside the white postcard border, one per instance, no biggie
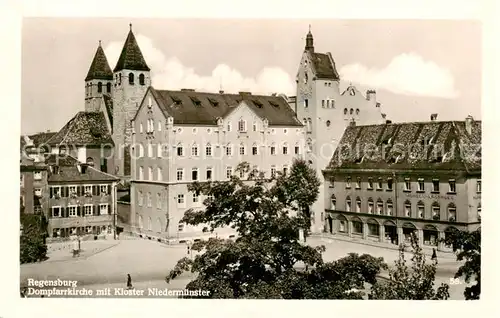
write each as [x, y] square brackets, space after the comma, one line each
[231, 158]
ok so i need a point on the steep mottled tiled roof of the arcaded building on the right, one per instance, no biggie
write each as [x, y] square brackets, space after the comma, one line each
[435, 145]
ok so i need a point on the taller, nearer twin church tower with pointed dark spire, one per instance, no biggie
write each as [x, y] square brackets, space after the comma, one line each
[131, 81]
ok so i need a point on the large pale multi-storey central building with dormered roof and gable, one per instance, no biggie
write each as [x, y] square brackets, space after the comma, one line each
[185, 136]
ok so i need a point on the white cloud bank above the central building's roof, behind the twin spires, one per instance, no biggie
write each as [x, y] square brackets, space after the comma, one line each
[170, 73]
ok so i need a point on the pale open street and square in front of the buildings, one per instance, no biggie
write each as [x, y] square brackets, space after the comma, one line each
[107, 263]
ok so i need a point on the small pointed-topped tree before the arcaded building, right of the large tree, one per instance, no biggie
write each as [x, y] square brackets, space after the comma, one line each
[415, 283]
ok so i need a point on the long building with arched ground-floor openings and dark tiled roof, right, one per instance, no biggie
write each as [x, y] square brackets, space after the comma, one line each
[387, 181]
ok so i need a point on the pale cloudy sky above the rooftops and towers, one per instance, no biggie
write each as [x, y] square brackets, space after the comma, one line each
[417, 67]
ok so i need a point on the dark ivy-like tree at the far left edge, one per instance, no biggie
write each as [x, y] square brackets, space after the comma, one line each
[32, 240]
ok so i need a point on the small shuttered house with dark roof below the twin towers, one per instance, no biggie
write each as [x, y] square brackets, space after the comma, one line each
[81, 199]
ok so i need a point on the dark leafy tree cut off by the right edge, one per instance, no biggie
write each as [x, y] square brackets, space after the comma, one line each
[467, 246]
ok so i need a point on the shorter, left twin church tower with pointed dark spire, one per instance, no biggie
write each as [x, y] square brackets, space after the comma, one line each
[99, 81]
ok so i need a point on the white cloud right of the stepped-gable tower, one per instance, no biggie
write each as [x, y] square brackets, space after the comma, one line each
[407, 74]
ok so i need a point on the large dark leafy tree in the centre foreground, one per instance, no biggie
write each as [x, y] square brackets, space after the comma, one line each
[267, 260]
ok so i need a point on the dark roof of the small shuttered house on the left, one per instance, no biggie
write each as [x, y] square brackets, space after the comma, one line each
[68, 171]
